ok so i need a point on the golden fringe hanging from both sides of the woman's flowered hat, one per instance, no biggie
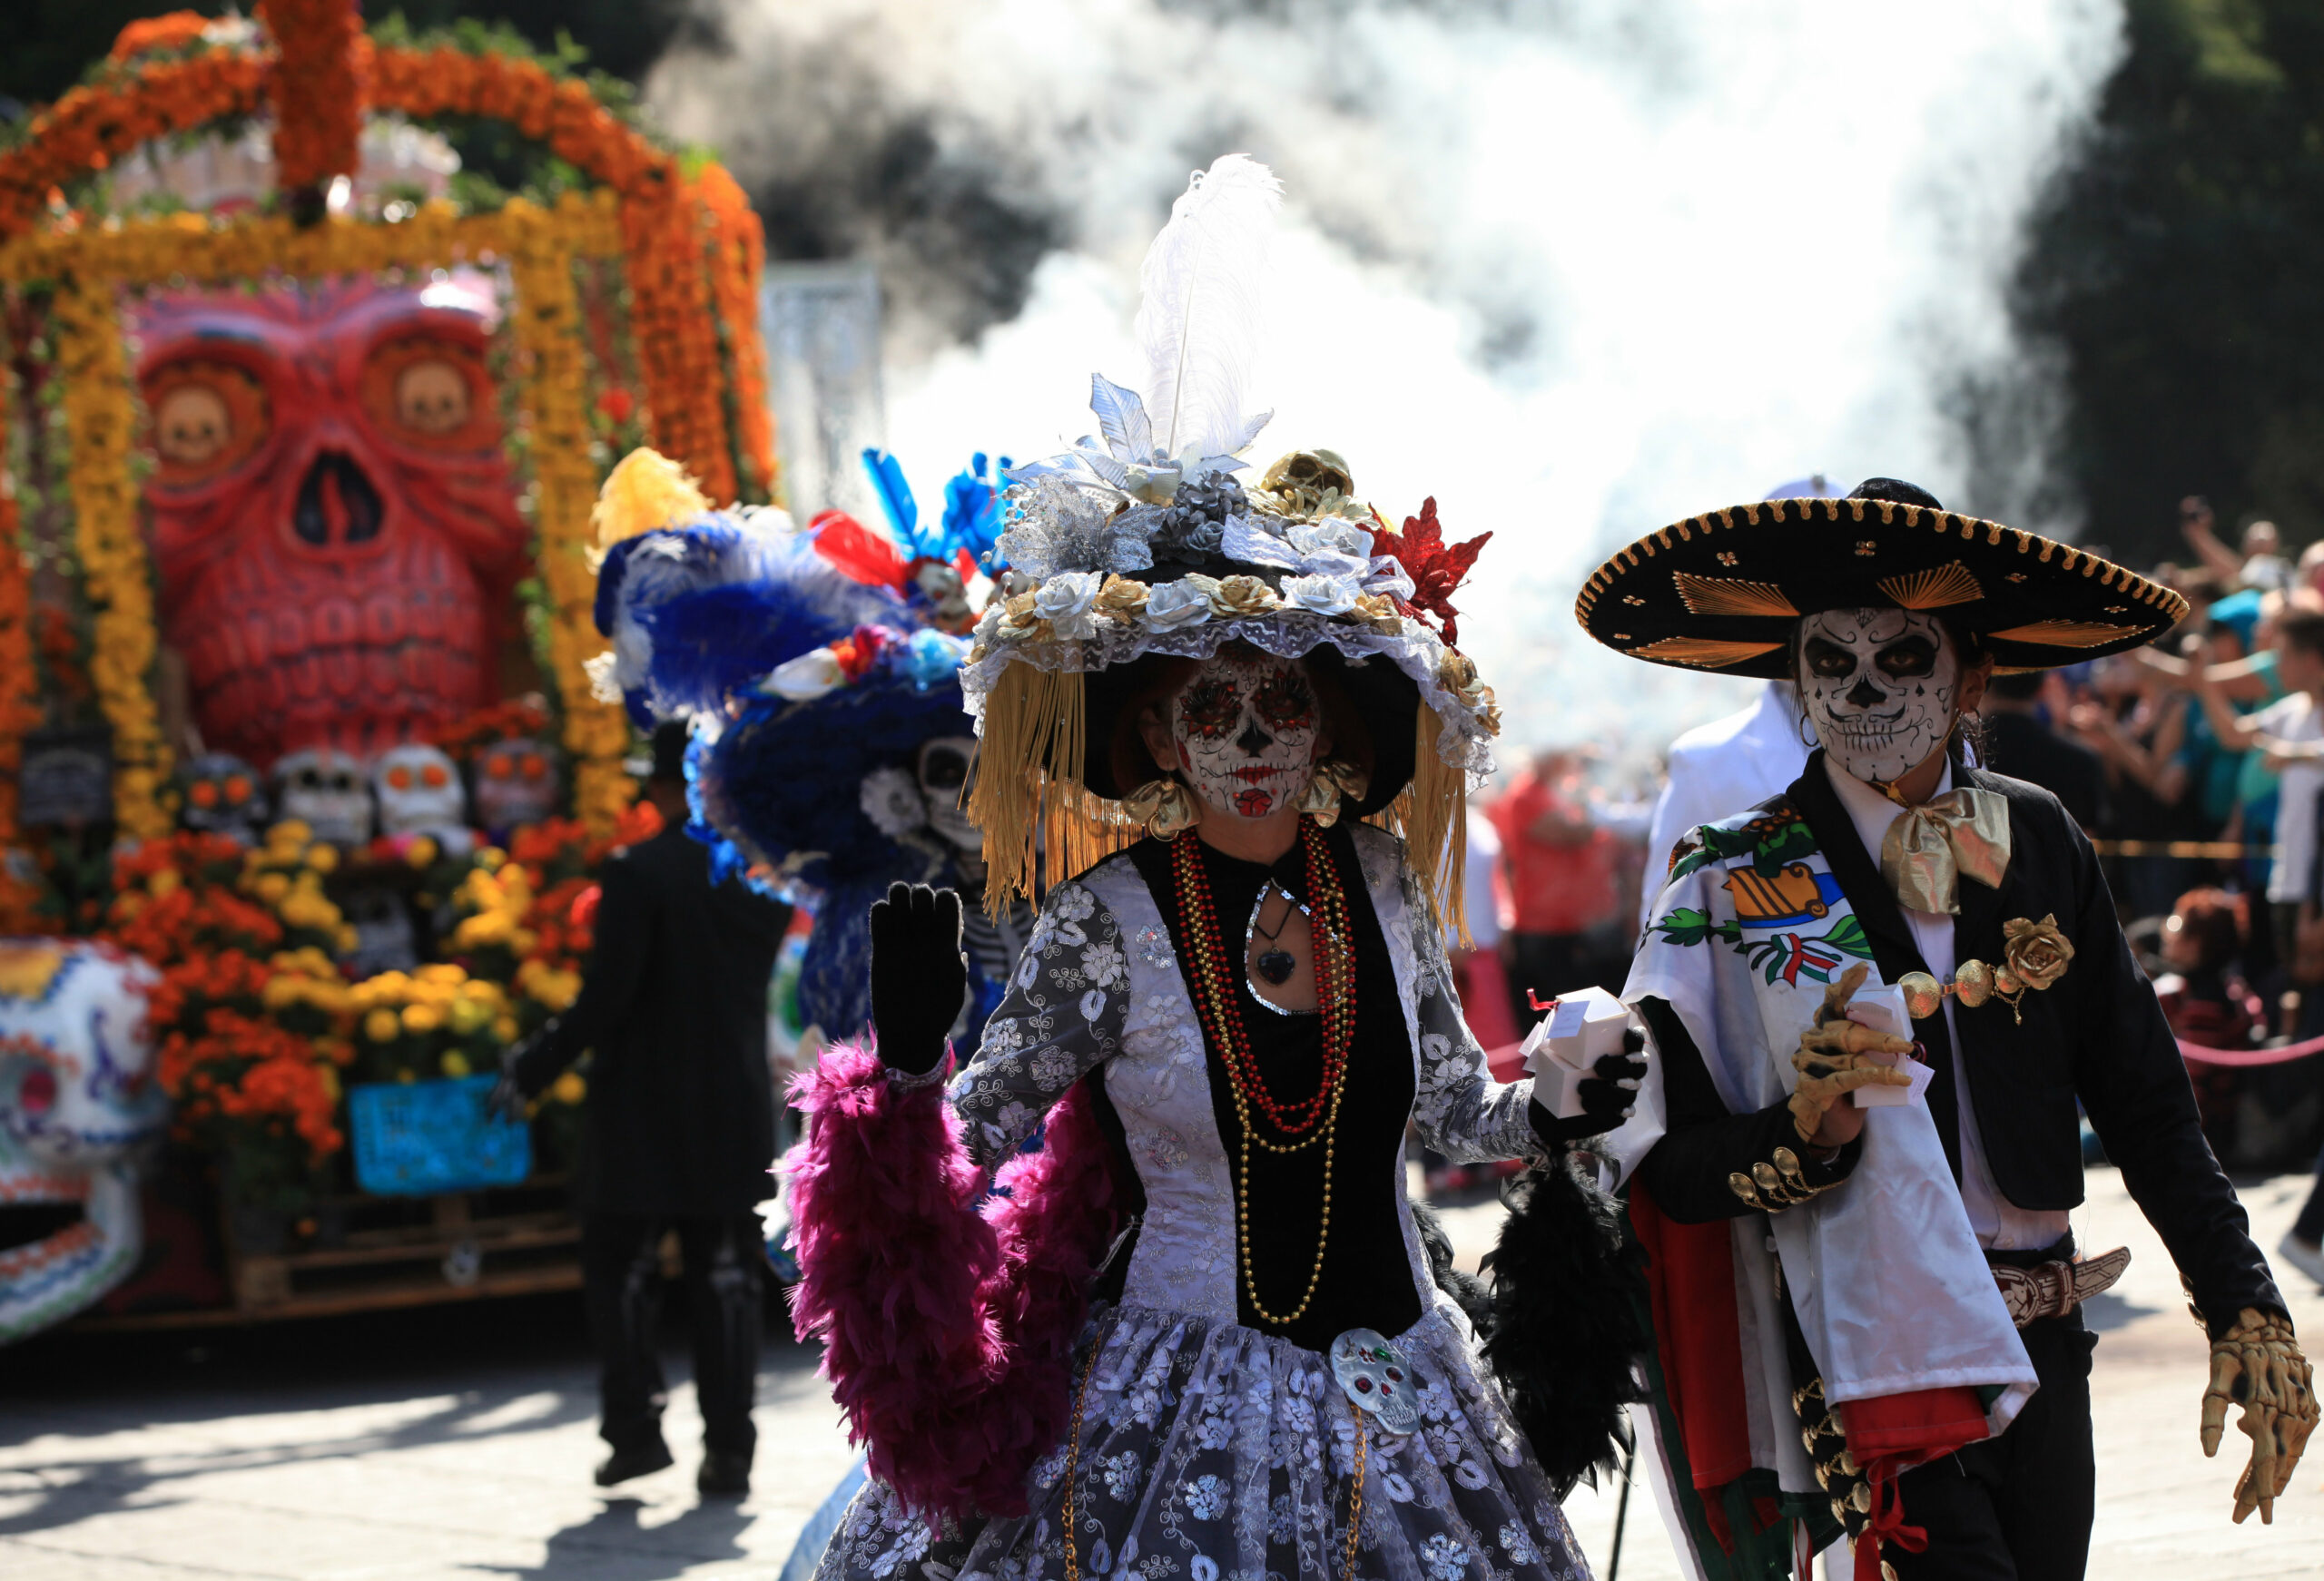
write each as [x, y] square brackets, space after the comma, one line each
[1040, 820]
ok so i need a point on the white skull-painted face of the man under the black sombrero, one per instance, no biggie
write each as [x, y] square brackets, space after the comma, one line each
[1881, 689]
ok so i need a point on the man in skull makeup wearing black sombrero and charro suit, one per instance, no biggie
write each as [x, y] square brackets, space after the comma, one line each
[1877, 1006]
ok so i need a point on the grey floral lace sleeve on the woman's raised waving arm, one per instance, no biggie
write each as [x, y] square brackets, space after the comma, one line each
[1061, 1020]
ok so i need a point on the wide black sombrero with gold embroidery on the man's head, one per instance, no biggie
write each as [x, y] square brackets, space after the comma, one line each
[1726, 592]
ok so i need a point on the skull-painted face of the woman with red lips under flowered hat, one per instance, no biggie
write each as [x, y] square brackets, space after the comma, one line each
[1247, 734]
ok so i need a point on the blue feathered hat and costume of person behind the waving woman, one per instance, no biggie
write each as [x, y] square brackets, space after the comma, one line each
[829, 729]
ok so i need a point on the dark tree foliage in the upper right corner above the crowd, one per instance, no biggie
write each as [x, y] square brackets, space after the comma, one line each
[2174, 264]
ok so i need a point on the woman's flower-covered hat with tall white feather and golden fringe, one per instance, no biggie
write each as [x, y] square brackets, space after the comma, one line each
[1140, 543]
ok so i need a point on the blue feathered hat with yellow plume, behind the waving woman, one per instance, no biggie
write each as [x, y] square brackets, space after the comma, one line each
[812, 666]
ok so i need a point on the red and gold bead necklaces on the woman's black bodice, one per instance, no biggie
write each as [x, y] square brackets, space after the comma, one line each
[1314, 1119]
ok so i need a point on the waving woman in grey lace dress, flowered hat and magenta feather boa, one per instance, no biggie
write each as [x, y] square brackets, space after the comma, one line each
[1198, 1333]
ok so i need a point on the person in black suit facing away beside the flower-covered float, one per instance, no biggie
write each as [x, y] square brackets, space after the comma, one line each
[677, 1131]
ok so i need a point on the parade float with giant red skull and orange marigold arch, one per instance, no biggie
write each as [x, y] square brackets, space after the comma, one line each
[301, 773]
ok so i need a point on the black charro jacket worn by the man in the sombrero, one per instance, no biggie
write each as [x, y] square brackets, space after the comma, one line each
[2097, 1036]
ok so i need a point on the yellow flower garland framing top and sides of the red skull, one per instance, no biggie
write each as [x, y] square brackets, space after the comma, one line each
[101, 415]
